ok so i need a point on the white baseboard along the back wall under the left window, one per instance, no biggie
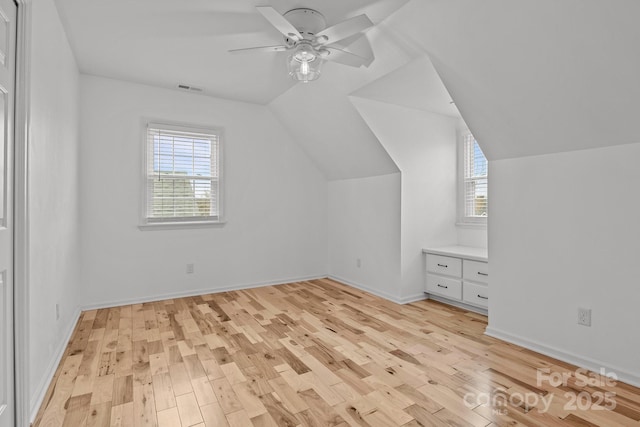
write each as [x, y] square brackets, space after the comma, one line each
[191, 293]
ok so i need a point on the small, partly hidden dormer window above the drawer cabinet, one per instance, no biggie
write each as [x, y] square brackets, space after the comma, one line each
[474, 182]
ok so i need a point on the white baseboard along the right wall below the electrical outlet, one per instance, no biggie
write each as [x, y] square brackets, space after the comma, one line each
[566, 356]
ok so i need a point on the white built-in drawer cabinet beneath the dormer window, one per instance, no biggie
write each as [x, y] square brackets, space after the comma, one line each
[458, 275]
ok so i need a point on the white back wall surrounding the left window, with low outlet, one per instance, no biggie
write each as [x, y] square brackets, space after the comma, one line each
[275, 200]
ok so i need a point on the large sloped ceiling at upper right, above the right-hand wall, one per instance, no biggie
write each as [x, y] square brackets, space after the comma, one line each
[534, 77]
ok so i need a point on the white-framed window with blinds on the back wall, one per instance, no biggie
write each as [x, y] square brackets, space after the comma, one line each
[183, 175]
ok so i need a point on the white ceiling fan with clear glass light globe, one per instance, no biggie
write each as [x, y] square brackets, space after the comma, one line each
[311, 43]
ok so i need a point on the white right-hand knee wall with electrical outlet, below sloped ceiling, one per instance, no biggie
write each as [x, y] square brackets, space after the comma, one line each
[564, 233]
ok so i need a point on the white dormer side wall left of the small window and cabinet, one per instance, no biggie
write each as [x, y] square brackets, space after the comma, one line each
[423, 145]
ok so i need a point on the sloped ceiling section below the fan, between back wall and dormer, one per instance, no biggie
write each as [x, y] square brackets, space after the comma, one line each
[322, 119]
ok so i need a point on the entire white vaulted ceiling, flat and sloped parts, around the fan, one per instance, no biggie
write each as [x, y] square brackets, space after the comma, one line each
[529, 77]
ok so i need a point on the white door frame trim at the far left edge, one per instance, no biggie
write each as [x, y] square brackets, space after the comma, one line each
[22, 396]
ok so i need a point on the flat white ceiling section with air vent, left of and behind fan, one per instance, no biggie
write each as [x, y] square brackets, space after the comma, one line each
[171, 42]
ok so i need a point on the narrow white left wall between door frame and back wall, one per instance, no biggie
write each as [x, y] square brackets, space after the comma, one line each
[54, 256]
